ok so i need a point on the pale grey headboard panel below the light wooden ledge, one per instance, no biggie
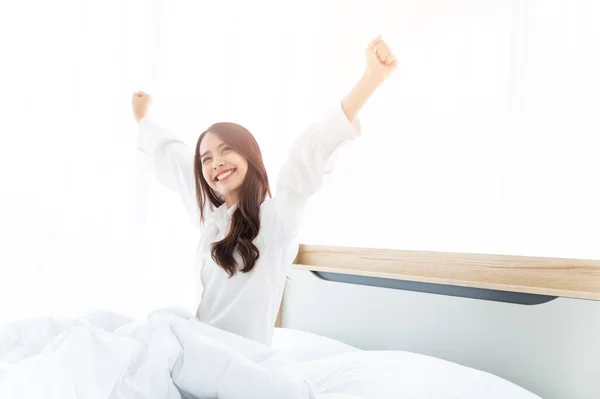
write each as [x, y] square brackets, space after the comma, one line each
[551, 348]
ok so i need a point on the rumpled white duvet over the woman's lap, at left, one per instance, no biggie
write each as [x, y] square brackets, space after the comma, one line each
[168, 355]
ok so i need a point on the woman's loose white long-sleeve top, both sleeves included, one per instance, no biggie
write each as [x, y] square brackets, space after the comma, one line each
[247, 303]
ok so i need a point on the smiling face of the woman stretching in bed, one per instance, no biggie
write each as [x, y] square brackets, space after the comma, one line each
[223, 169]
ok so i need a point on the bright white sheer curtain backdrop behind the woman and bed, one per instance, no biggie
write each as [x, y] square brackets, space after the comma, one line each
[482, 141]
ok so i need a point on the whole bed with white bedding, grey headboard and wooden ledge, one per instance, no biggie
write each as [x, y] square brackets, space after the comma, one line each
[354, 323]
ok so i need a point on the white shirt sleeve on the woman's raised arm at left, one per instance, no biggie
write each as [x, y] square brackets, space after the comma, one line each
[171, 162]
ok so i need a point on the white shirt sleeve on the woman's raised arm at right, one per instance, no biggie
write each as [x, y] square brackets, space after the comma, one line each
[302, 174]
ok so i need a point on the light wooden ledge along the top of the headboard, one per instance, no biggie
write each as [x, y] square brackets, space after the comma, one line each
[570, 278]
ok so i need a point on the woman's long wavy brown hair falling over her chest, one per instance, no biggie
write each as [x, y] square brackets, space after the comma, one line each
[245, 221]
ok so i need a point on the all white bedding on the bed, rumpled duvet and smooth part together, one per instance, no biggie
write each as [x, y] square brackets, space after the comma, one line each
[171, 355]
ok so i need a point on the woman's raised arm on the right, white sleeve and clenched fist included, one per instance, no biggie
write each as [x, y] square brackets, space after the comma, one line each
[302, 173]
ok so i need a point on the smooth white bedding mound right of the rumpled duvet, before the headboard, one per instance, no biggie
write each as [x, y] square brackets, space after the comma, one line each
[340, 371]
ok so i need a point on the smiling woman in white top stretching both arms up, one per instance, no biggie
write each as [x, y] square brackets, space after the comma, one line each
[248, 239]
